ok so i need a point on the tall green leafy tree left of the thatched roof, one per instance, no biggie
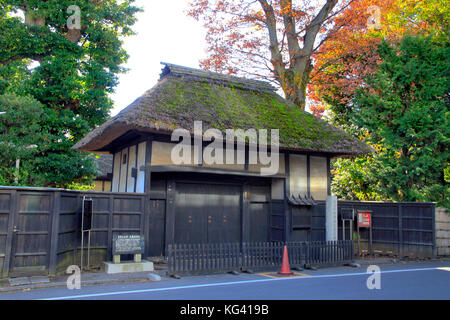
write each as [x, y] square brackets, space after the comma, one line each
[66, 54]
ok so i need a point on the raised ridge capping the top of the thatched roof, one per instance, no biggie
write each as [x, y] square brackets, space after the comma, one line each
[246, 83]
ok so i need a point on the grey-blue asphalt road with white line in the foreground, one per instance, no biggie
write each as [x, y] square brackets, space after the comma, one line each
[400, 281]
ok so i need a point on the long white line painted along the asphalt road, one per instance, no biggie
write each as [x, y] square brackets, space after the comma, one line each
[104, 294]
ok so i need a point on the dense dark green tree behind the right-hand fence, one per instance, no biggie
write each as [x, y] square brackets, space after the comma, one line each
[404, 109]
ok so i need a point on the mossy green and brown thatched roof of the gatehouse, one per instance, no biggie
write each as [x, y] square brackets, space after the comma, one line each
[184, 95]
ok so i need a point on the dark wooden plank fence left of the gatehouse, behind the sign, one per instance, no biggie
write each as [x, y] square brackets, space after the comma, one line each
[40, 228]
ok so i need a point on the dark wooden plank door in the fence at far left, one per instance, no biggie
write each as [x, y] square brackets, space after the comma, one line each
[31, 236]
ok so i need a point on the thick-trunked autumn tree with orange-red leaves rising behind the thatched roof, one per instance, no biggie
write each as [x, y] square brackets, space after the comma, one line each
[297, 45]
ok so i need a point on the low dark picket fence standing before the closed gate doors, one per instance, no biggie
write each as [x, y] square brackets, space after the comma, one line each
[223, 257]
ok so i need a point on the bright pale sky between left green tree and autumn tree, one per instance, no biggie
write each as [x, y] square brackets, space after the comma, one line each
[164, 33]
